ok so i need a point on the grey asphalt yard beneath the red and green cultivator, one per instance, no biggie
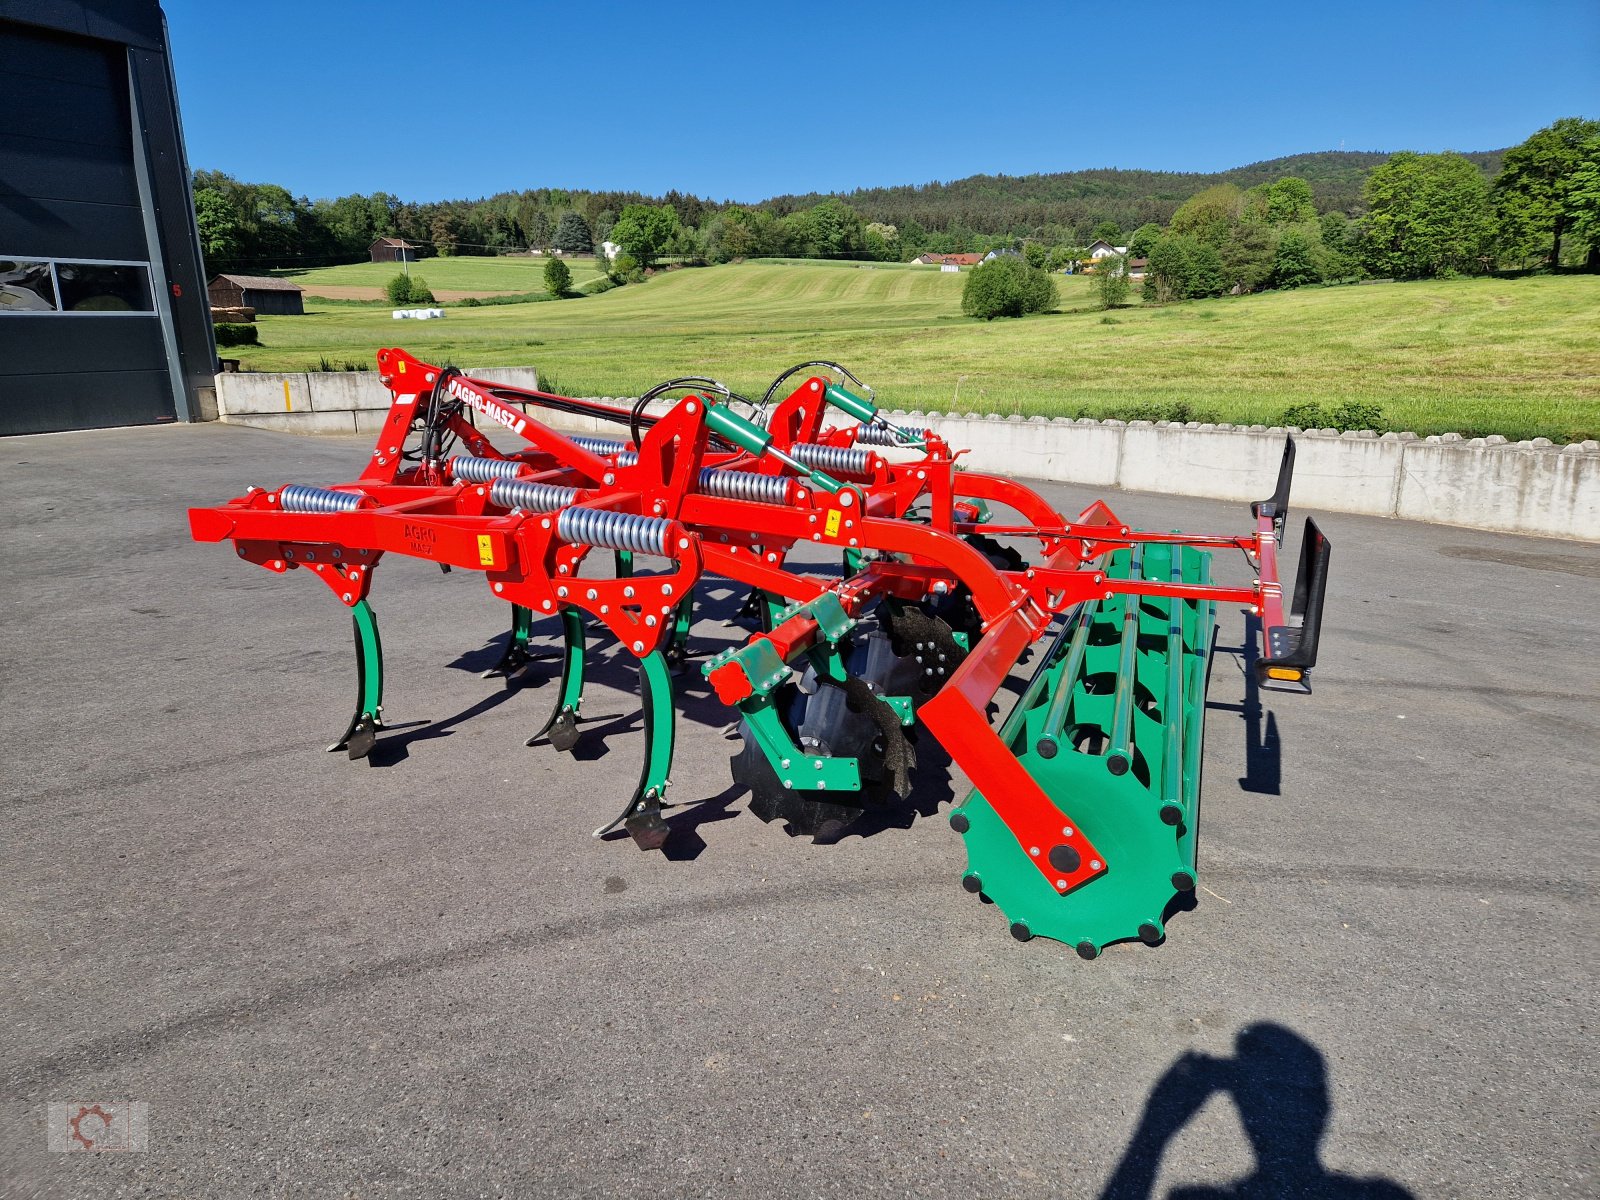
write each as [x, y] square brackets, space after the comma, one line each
[422, 975]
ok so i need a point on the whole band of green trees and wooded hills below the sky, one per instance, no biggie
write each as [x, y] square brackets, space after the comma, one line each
[1286, 223]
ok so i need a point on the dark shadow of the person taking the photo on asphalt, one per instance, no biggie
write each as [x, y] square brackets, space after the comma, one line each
[1279, 1084]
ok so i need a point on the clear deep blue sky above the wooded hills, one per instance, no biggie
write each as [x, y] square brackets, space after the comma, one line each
[465, 98]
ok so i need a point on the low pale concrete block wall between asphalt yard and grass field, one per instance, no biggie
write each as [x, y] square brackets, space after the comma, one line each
[1487, 484]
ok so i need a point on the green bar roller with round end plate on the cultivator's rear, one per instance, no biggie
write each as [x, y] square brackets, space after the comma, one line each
[1110, 727]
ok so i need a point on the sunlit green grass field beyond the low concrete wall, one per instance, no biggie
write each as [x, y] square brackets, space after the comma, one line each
[1514, 358]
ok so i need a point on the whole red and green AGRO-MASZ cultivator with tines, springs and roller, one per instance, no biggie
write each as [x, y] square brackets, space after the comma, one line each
[1081, 825]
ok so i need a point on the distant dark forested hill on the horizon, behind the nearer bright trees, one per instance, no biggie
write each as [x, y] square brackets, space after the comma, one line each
[993, 204]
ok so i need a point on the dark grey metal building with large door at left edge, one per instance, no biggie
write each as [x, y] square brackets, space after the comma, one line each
[103, 303]
